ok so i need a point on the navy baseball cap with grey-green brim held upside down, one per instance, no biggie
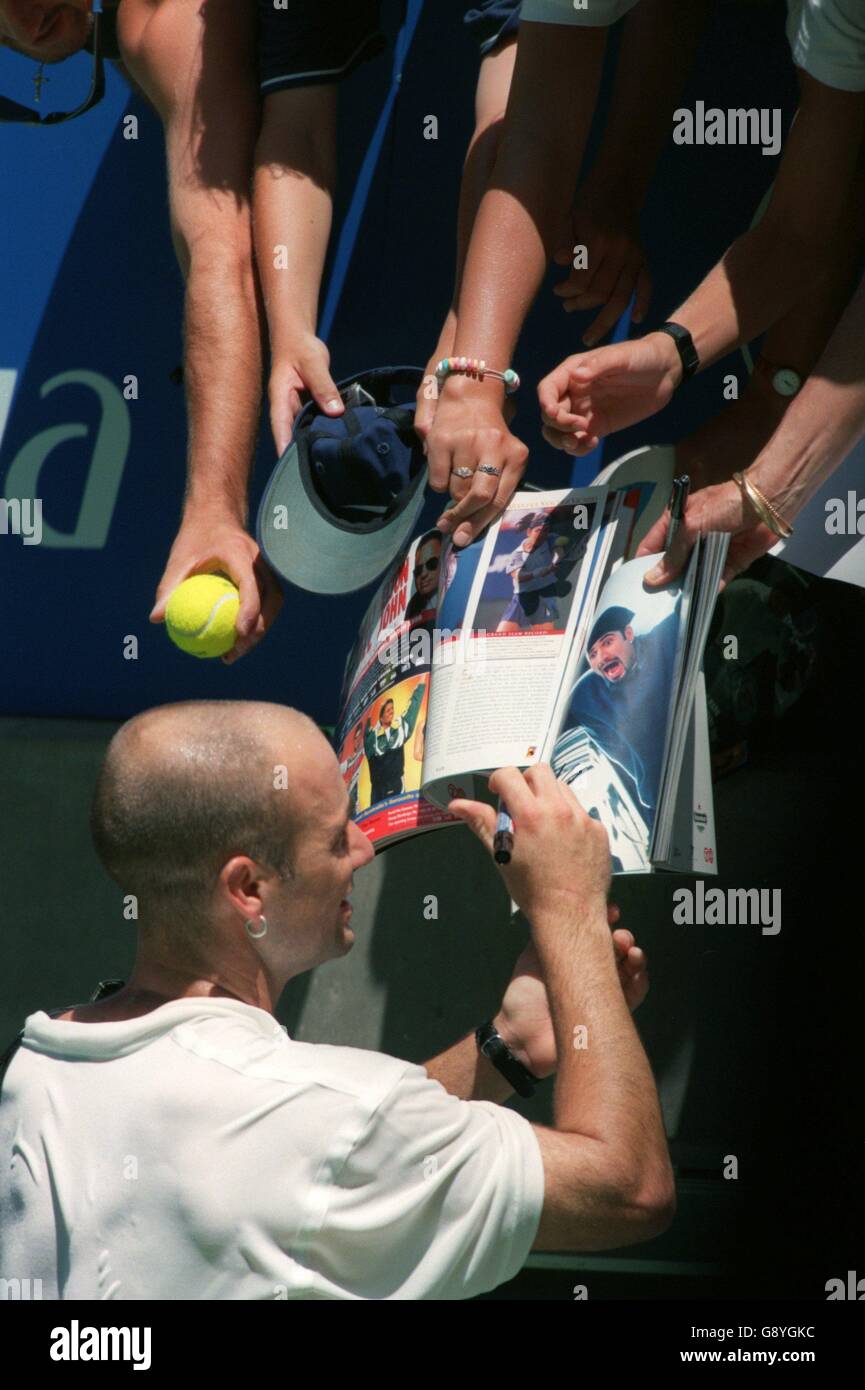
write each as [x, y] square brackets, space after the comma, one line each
[347, 494]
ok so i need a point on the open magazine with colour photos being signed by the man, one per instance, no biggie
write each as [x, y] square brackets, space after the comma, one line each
[539, 643]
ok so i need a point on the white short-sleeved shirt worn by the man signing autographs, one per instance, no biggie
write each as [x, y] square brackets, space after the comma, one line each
[201, 1153]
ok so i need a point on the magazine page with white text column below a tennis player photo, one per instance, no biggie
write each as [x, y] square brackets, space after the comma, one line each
[518, 604]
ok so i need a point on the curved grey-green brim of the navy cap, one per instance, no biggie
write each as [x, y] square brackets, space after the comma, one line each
[309, 547]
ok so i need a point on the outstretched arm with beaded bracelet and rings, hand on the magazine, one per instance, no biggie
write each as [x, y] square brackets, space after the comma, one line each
[517, 230]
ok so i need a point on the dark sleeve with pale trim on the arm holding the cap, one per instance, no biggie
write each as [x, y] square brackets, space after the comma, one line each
[316, 41]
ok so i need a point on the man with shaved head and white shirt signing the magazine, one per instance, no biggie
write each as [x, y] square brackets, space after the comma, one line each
[173, 1142]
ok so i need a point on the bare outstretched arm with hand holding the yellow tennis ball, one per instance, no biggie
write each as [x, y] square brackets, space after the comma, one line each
[197, 65]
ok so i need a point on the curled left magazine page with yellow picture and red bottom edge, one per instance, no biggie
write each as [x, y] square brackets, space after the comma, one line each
[383, 710]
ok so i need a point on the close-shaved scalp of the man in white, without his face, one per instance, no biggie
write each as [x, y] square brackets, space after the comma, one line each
[187, 787]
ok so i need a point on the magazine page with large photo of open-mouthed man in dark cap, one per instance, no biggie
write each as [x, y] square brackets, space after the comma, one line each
[614, 733]
